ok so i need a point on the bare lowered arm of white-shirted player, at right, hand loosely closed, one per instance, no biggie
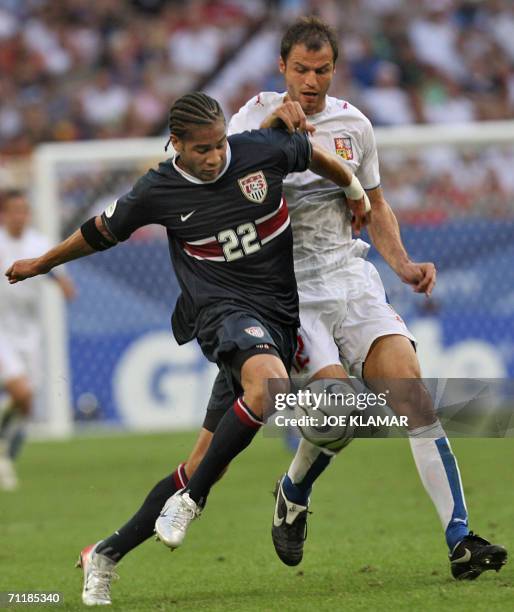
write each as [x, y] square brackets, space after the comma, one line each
[384, 232]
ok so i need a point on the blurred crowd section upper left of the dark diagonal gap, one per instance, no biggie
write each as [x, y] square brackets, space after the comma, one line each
[77, 69]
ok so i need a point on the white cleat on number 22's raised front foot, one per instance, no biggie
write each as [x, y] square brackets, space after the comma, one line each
[172, 524]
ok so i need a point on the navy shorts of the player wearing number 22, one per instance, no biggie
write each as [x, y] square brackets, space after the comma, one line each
[226, 335]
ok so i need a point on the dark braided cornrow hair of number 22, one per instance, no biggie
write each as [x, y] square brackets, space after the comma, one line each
[193, 109]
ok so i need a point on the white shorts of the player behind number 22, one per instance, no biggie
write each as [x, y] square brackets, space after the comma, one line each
[342, 312]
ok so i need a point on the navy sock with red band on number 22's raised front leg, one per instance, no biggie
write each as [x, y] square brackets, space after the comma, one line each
[234, 433]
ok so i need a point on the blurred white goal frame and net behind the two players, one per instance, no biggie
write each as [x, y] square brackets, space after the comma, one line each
[111, 358]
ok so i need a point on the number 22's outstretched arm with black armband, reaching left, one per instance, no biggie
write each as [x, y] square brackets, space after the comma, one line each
[72, 248]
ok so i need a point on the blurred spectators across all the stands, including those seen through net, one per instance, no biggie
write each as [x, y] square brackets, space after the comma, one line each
[76, 69]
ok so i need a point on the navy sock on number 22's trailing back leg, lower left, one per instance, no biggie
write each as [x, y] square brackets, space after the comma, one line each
[141, 526]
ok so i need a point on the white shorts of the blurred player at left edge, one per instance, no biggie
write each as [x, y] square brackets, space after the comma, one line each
[19, 359]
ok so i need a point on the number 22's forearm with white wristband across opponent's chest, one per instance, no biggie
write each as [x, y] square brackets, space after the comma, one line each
[329, 166]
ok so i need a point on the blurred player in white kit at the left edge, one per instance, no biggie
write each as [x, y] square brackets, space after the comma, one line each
[20, 331]
